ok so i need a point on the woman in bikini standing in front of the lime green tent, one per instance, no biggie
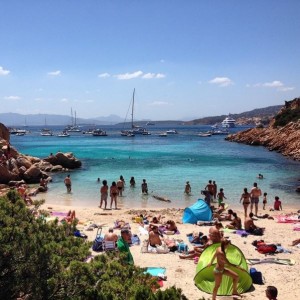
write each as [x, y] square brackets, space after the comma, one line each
[220, 269]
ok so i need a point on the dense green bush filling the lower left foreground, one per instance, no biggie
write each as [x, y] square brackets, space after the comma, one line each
[44, 260]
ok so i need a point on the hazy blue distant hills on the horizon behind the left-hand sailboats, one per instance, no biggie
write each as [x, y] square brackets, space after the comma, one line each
[16, 120]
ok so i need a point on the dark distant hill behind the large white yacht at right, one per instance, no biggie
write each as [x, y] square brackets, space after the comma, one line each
[261, 113]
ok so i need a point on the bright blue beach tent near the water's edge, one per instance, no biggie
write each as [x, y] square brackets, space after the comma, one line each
[199, 211]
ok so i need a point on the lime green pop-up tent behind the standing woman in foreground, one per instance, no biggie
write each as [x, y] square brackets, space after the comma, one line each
[204, 278]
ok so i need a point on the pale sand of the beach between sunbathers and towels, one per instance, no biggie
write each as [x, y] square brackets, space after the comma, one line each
[181, 272]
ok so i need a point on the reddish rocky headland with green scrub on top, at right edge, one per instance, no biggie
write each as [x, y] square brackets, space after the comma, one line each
[282, 135]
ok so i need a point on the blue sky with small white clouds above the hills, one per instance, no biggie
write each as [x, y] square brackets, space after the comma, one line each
[186, 59]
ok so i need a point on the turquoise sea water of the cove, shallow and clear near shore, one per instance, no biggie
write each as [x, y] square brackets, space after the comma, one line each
[165, 162]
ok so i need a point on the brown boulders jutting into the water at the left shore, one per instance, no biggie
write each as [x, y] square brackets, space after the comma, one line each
[16, 167]
